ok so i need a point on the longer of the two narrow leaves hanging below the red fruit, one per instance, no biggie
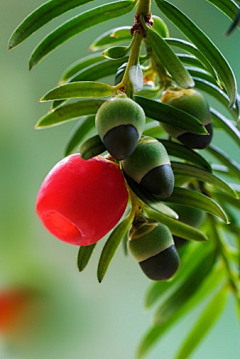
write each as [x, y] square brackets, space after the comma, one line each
[111, 246]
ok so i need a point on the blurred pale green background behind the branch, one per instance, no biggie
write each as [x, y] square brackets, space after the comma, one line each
[76, 317]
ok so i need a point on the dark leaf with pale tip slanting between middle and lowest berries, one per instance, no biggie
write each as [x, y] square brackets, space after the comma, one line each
[151, 200]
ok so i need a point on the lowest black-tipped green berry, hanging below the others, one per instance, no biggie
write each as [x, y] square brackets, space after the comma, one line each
[151, 244]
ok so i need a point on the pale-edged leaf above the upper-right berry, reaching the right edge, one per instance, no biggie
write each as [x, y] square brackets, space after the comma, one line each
[218, 94]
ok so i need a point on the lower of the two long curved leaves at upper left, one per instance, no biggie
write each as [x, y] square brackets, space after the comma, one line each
[78, 24]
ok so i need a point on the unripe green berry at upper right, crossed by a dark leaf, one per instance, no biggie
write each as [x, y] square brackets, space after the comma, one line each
[195, 104]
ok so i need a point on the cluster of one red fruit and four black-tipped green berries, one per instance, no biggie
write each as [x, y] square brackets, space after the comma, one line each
[80, 201]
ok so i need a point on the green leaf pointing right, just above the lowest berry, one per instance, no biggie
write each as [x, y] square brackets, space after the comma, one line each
[178, 228]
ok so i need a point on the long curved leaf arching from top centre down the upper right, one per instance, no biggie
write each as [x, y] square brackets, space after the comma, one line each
[204, 44]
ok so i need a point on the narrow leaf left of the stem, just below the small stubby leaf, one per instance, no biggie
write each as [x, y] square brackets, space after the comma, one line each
[99, 70]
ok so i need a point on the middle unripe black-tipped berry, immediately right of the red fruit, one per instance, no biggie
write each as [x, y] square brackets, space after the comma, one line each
[150, 167]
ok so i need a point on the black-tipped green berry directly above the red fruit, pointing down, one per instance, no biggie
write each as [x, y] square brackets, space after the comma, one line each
[120, 123]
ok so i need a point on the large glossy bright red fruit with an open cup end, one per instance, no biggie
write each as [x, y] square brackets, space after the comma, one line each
[80, 201]
